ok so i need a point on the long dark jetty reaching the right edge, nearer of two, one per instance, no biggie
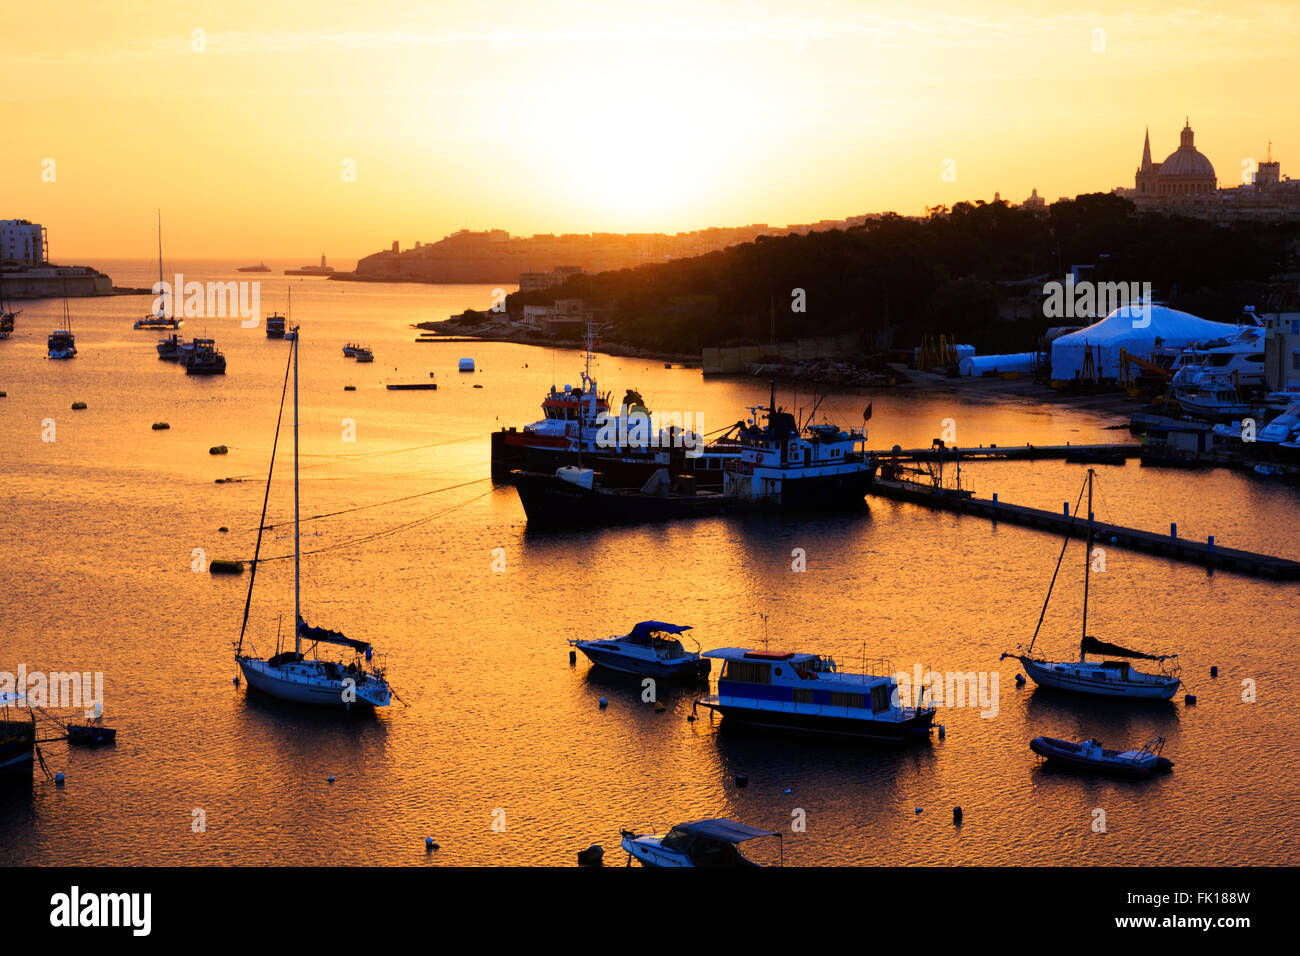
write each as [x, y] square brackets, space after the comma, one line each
[1206, 553]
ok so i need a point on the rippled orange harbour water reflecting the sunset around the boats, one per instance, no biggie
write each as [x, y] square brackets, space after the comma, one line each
[97, 544]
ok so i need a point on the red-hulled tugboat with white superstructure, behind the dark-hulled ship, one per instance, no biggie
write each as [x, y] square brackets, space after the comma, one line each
[578, 429]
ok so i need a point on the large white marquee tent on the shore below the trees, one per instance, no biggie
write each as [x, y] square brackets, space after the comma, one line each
[1134, 328]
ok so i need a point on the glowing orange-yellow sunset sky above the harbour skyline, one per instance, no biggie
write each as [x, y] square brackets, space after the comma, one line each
[603, 116]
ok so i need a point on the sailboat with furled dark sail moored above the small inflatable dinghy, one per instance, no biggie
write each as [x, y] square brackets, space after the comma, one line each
[1098, 678]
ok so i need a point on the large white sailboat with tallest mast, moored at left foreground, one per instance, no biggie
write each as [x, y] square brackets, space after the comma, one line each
[291, 674]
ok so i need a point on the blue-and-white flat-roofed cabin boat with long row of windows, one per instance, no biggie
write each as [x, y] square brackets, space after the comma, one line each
[809, 693]
